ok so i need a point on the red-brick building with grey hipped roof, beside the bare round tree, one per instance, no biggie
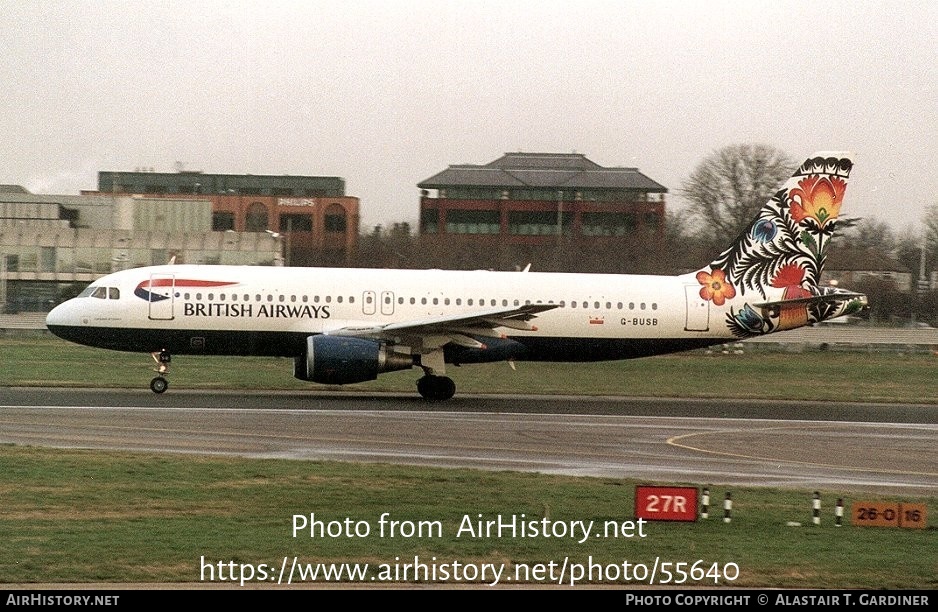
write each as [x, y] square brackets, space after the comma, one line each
[537, 198]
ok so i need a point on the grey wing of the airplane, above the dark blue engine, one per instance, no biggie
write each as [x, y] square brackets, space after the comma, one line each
[433, 332]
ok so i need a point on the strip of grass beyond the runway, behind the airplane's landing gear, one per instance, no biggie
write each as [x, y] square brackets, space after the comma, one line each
[758, 373]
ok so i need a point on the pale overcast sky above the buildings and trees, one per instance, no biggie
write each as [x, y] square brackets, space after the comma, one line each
[386, 94]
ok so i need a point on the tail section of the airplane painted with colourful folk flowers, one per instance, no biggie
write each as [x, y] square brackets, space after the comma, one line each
[769, 277]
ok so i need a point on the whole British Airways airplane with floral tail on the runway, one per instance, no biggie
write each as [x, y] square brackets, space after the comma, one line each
[345, 326]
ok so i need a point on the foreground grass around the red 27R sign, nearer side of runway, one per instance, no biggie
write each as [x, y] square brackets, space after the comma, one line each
[82, 516]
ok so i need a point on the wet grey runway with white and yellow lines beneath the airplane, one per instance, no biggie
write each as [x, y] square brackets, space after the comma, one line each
[882, 448]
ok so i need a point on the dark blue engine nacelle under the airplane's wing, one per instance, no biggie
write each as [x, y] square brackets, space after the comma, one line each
[338, 360]
